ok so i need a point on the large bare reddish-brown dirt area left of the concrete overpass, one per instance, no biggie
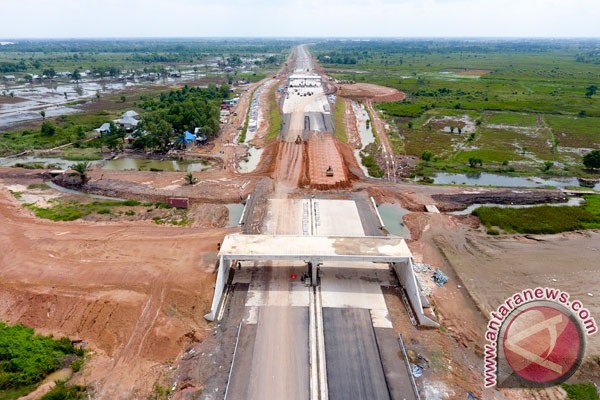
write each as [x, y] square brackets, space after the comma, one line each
[86, 281]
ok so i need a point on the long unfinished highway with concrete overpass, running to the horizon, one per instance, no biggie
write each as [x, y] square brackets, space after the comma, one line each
[307, 291]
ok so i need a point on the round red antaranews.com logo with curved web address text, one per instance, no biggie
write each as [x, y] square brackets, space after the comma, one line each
[536, 338]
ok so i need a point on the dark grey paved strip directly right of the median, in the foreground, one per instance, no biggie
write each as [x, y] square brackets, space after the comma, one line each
[354, 369]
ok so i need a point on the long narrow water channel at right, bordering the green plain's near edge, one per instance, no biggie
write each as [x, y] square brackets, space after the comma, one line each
[486, 179]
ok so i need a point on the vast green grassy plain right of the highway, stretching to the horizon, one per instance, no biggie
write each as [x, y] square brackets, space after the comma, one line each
[528, 97]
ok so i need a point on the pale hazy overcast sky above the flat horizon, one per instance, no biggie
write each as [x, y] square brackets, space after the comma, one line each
[299, 18]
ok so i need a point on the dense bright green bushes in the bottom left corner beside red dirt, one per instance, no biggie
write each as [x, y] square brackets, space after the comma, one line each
[26, 358]
